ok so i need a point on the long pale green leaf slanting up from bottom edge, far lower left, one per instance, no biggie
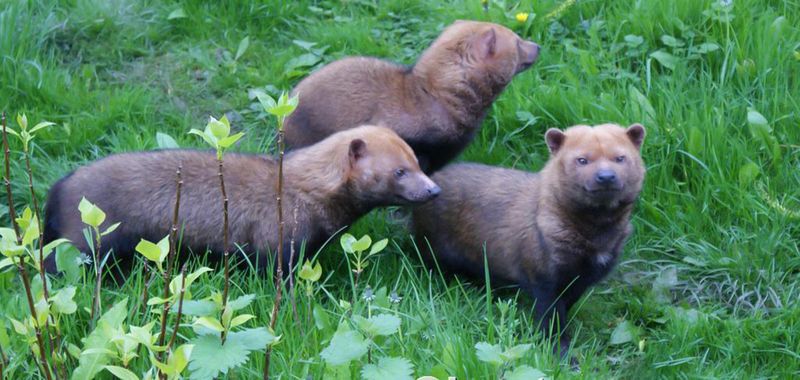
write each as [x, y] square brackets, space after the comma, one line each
[92, 363]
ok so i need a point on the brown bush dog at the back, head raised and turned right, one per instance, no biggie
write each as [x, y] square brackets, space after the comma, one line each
[436, 105]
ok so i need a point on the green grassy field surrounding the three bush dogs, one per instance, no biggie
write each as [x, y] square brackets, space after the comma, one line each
[707, 287]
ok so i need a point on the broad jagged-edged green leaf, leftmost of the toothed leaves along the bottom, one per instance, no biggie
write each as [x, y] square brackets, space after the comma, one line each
[210, 358]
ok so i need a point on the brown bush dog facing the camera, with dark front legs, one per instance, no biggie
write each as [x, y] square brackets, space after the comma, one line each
[553, 233]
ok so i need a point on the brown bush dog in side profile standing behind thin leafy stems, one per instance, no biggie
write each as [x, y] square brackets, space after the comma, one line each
[327, 186]
